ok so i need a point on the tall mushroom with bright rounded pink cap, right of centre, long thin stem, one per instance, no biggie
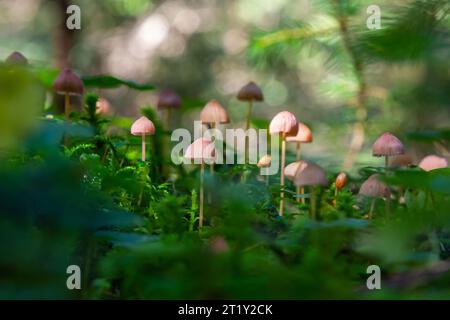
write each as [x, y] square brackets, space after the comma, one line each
[285, 124]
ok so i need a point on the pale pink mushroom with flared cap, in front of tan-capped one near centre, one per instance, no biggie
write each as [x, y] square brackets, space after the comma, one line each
[201, 150]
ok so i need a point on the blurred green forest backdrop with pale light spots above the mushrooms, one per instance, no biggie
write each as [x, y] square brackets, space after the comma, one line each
[315, 58]
